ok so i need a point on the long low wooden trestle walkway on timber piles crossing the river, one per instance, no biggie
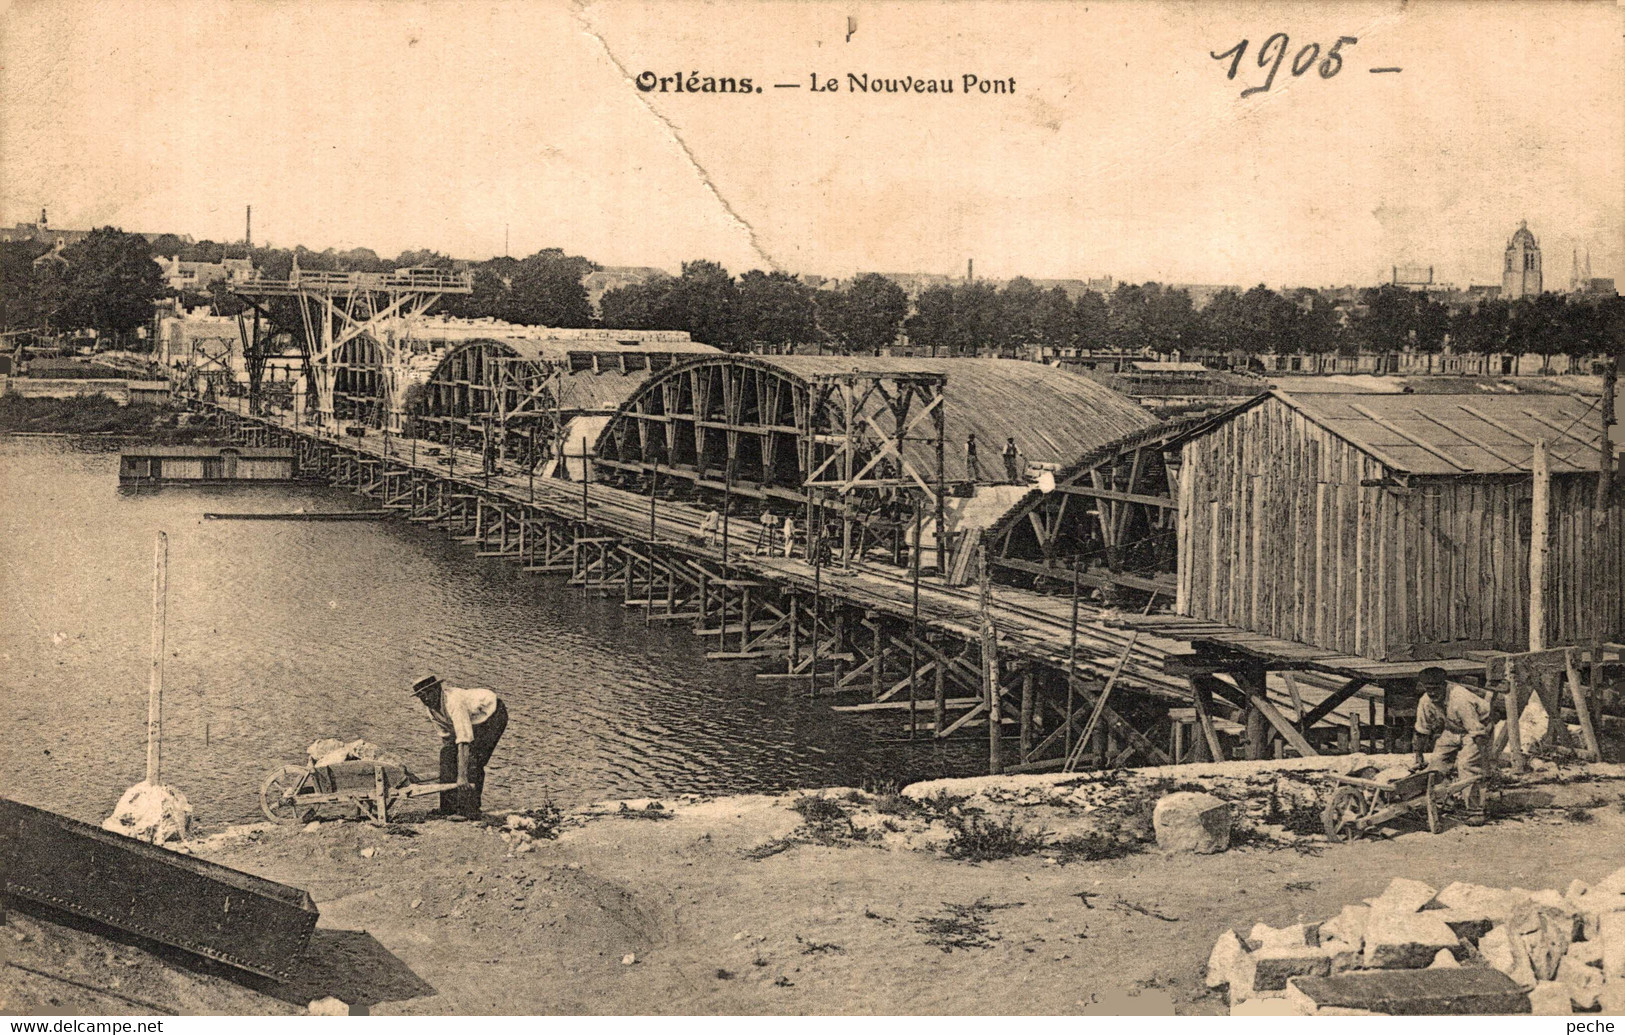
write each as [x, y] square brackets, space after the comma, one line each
[869, 638]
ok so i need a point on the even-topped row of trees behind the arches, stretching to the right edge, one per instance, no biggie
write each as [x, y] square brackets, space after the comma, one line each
[774, 310]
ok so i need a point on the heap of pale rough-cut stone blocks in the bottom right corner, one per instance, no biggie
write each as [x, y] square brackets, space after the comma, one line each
[1465, 950]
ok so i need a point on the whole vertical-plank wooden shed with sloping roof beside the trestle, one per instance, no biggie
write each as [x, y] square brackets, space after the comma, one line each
[1398, 527]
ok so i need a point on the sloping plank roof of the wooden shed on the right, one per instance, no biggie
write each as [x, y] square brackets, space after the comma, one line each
[1460, 435]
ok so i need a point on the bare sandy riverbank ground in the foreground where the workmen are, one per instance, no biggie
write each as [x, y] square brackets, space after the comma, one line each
[709, 912]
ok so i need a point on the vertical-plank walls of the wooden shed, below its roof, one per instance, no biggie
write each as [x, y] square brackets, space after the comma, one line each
[1280, 537]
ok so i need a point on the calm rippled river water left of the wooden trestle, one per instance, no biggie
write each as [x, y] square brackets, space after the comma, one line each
[284, 633]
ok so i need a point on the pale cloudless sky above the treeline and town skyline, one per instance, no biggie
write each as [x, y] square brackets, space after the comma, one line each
[1122, 150]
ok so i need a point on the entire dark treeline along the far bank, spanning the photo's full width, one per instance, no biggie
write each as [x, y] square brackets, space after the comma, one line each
[110, 280]
